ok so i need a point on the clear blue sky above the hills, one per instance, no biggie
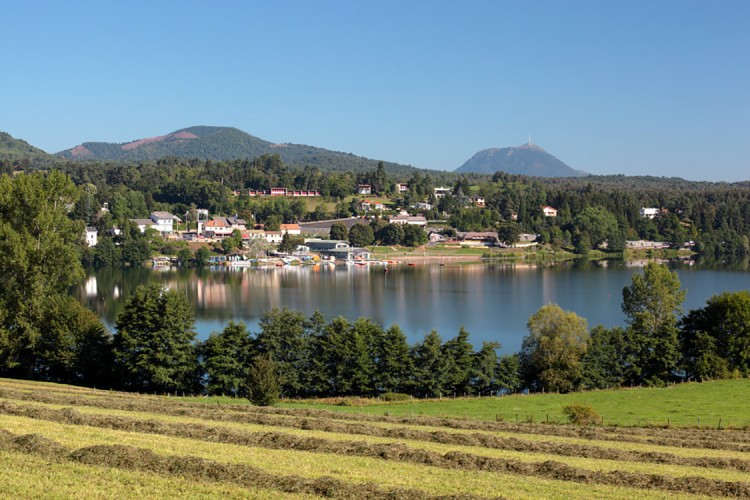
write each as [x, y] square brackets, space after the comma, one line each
[631, 87]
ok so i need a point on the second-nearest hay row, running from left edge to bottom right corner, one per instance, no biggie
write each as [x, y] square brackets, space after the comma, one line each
[391, 451]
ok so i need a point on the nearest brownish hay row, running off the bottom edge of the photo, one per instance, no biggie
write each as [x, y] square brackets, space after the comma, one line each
[129, 457]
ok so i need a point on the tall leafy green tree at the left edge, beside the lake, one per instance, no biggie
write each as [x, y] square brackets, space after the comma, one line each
[38, 263]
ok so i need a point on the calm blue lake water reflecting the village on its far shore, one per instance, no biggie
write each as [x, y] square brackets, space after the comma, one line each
[493, 302]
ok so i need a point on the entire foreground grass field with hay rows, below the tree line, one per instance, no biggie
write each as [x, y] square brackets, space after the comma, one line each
[65, 441]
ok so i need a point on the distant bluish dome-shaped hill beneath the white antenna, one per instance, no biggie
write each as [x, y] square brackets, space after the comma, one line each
[528, 159]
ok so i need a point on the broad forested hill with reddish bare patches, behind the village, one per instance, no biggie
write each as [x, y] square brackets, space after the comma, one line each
[225, 143]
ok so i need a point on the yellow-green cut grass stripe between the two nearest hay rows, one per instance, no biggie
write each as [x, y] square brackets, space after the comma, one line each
[355, 469]
